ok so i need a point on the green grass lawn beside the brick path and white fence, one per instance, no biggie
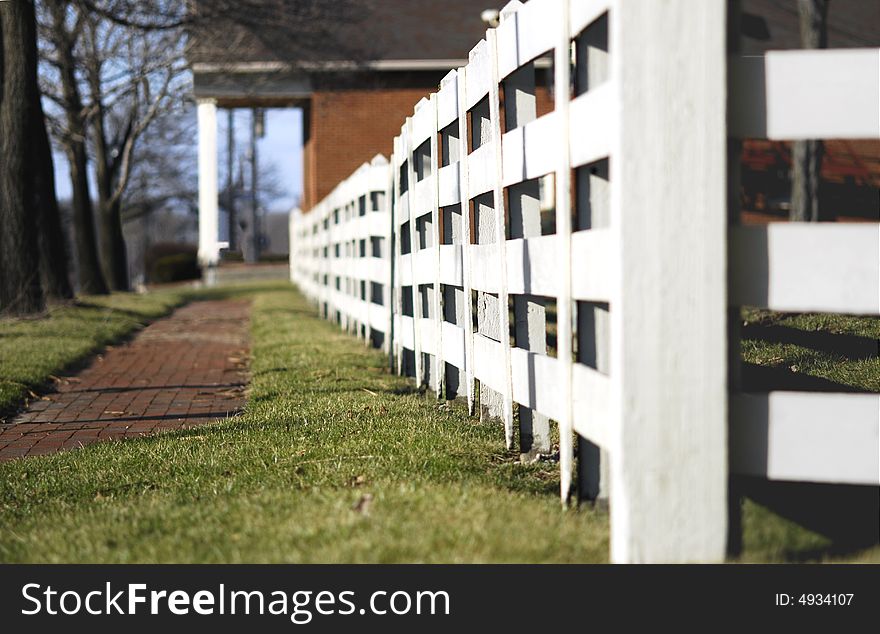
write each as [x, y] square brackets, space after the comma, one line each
[335, 460]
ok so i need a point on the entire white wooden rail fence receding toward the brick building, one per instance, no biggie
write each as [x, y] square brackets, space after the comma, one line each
[600, 233]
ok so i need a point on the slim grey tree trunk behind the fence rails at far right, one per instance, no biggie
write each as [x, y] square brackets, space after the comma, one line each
[807, 155]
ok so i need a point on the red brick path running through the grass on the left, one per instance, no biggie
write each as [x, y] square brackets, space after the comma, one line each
[184, 370]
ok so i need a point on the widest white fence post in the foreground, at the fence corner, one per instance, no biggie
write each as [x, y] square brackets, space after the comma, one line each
[669, 474]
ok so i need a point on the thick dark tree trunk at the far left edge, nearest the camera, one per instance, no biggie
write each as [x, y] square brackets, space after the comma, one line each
[20, 289]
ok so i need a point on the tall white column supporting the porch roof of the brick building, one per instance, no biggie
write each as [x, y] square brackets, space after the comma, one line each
[209, 248]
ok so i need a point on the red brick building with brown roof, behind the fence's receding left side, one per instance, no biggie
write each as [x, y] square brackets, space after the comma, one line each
[356, 83]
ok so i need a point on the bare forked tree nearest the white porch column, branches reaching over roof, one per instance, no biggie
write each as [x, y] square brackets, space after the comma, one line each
[130, 57]
